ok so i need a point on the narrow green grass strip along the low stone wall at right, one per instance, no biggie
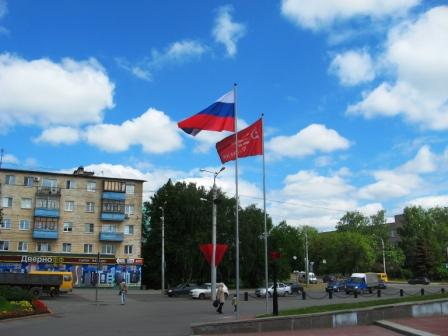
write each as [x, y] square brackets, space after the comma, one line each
[355, 305]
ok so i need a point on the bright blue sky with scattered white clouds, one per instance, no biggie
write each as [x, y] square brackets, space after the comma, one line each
[354, 96]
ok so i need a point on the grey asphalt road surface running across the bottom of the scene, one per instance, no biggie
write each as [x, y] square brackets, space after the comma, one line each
[149, 313]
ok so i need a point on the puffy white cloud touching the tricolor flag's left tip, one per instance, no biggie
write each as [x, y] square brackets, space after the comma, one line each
[153, 130]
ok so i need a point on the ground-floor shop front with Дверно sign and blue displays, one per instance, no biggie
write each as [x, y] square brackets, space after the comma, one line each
[85, 269]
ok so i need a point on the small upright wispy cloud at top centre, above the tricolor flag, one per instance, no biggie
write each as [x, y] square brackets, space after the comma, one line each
[227, 31]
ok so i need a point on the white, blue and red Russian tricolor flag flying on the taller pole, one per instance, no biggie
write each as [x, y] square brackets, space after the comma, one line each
[220, 116]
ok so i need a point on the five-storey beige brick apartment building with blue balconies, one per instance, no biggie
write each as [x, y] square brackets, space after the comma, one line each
[89, 225]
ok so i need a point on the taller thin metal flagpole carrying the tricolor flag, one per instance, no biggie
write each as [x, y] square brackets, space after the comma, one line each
[237, 238]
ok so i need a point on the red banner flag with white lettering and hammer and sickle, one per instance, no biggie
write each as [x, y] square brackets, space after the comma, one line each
[250, 143]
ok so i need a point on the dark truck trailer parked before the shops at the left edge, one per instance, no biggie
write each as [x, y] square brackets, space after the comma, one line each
[35, 284]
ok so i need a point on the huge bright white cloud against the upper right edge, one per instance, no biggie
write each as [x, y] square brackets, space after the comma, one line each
[418, 52]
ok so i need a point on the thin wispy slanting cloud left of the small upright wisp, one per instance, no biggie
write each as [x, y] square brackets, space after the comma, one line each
[176, 53]
